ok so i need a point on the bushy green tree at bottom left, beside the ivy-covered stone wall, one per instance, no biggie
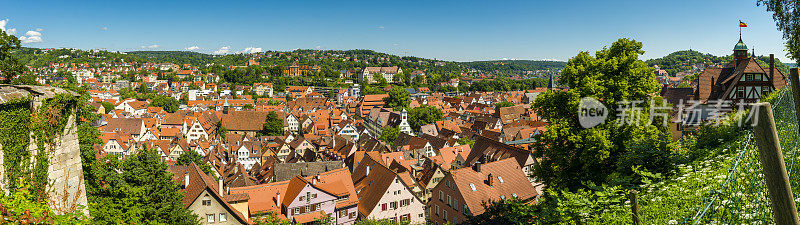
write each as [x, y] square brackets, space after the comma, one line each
[138, 190]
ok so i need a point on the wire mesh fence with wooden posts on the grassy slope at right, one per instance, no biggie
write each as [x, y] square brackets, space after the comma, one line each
[742, 198]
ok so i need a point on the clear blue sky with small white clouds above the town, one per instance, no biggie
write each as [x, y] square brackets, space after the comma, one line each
[449, 30]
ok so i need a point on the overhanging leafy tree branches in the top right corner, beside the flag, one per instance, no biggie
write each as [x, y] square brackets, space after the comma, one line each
[785, 15]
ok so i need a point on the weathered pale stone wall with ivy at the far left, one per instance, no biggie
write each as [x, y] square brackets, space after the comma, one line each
[66, 187]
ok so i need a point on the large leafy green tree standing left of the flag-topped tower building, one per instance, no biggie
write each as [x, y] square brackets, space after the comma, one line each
[572, 155]
